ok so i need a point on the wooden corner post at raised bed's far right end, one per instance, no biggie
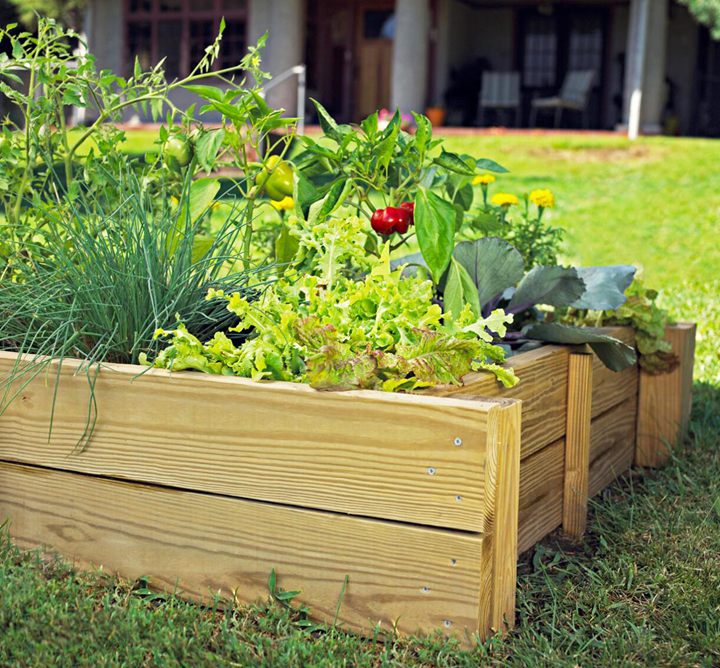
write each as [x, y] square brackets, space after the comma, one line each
[665, 401]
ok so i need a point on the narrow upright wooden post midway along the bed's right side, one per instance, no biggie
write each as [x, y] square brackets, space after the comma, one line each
[577, 445]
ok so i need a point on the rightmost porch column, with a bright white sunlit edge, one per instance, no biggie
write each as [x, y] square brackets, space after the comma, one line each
[644, 95]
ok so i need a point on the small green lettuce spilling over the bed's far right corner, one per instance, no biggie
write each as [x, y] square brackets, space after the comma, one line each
[642, 313]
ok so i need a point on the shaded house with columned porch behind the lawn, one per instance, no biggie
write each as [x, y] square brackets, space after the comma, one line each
[366, 54]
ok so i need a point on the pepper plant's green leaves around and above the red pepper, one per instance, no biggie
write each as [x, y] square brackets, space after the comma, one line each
[373, 168]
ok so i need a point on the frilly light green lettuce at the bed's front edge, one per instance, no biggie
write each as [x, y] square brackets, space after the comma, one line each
[327, 328]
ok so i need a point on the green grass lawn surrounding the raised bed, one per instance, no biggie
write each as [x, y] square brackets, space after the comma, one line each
[644, 588]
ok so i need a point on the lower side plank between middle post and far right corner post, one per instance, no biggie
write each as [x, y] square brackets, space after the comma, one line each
[612, 445]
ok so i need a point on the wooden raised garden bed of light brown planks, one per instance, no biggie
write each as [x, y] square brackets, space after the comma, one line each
[422, 501]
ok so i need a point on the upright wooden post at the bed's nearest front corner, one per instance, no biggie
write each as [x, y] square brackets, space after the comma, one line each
[497, 595]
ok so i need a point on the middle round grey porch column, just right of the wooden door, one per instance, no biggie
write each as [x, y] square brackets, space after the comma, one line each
[410, 55]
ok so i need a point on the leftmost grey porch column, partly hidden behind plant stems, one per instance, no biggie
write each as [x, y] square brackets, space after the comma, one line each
[285, 22]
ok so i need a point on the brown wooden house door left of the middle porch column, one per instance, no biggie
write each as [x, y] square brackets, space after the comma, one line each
[375, 28]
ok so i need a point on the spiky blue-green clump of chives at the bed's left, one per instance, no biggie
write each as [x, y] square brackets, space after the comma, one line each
[104, 282]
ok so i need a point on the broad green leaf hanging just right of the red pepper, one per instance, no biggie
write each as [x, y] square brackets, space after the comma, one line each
[435, 229]
